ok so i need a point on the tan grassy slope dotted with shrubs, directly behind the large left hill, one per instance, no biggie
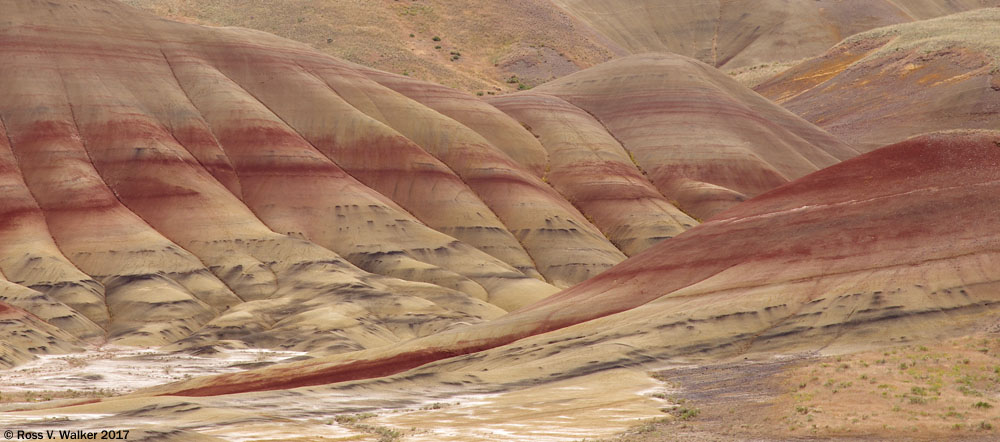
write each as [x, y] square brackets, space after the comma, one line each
[531, 39]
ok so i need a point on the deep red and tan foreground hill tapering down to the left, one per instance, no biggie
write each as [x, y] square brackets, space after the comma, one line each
[852, 256]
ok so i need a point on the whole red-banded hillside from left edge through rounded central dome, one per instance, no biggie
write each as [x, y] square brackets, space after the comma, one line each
[165, 183]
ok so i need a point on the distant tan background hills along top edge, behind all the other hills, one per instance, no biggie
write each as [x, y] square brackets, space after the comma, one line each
[501, 46]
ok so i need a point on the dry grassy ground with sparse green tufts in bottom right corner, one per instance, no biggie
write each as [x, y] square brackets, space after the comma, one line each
[945, 391]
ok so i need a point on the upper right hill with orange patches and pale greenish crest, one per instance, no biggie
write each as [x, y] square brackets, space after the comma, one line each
[891, 83]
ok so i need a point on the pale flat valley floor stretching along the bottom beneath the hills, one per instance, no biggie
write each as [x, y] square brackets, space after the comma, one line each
[945, 391]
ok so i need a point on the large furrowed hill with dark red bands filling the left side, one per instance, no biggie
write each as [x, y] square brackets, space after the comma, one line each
[168, 183]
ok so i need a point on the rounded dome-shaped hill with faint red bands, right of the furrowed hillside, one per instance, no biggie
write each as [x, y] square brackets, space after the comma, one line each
[703, 140]
